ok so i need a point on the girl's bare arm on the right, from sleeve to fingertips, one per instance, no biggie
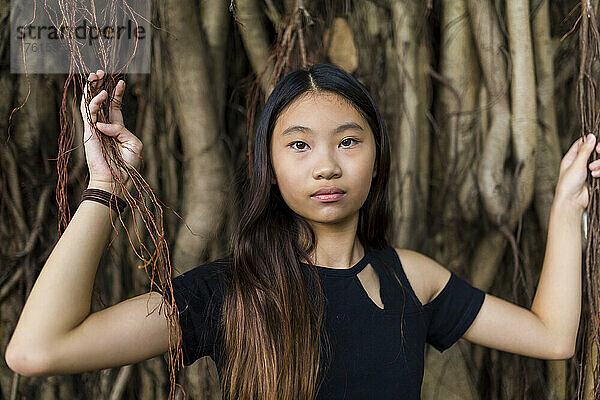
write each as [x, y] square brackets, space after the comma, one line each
[549, 329]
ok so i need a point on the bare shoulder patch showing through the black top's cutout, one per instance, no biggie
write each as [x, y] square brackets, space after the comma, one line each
[426, 276]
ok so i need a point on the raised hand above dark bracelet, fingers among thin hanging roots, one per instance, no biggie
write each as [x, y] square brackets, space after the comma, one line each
[129, 145]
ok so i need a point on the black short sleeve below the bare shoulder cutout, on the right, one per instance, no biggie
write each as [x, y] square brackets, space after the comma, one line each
[452, 312]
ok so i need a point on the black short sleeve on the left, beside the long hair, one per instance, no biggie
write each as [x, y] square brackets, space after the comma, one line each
[198, 294]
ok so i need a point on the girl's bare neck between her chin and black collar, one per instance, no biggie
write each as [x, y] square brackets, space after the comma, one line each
[337, 244]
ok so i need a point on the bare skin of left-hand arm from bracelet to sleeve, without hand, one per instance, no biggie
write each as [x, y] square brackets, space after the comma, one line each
[56, 327]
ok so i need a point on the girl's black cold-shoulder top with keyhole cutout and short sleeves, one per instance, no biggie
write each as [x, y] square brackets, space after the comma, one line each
[369, 359]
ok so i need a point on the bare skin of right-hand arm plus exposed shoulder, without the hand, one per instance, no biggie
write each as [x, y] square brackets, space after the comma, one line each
[549, 329]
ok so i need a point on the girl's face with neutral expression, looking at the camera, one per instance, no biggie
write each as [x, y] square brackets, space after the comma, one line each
[321, 142]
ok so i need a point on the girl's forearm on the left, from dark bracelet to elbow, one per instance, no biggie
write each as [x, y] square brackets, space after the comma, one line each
[61, 296]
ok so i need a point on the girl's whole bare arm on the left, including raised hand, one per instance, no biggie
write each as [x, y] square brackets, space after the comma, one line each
[56, 334]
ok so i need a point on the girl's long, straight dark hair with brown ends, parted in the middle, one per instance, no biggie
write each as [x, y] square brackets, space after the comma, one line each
[273, 310]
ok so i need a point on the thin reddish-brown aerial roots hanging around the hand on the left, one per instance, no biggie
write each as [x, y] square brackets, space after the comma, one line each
[127, 180]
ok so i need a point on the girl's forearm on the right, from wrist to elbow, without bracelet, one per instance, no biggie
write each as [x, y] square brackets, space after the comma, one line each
[558, 297]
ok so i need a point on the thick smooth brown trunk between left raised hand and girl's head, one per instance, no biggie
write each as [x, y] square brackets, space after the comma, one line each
[206, 173]
